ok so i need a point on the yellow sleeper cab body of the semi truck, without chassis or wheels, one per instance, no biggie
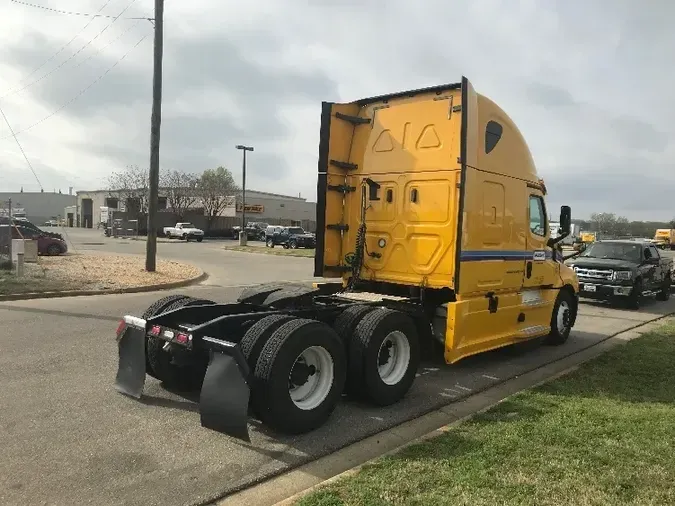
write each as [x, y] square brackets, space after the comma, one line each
[444, 189]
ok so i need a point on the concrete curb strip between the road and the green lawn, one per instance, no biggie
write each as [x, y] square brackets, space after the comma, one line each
[348, 460]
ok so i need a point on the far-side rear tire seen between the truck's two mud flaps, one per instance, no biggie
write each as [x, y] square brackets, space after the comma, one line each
[161, 361]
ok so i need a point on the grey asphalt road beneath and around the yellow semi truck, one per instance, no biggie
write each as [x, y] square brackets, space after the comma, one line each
[68, 438]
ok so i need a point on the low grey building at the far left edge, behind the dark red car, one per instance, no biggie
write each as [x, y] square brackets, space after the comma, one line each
[38, 207]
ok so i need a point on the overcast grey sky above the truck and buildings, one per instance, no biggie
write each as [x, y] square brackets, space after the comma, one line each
[587, 82]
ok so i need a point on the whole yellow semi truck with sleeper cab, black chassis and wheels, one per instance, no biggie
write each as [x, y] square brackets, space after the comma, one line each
[431, 217]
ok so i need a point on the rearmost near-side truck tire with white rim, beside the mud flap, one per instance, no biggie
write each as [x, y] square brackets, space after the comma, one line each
[299, 376]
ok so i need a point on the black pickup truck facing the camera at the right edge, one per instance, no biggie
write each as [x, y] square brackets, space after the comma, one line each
[625, 270]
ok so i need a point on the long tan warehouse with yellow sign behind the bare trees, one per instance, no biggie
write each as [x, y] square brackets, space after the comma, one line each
[260, 206]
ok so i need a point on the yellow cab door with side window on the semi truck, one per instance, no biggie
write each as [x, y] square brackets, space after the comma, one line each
[540, 269]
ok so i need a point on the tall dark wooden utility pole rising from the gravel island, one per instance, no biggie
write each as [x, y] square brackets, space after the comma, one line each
[155, 123]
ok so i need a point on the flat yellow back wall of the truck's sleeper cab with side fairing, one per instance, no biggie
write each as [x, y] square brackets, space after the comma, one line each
[394, 160]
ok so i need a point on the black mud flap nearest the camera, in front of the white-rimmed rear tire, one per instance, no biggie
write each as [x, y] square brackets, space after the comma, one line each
[223, 403]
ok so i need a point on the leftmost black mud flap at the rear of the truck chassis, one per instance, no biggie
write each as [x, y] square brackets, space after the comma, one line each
[131, 368]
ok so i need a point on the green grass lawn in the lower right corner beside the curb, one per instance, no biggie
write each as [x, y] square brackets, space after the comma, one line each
[602, 435]
